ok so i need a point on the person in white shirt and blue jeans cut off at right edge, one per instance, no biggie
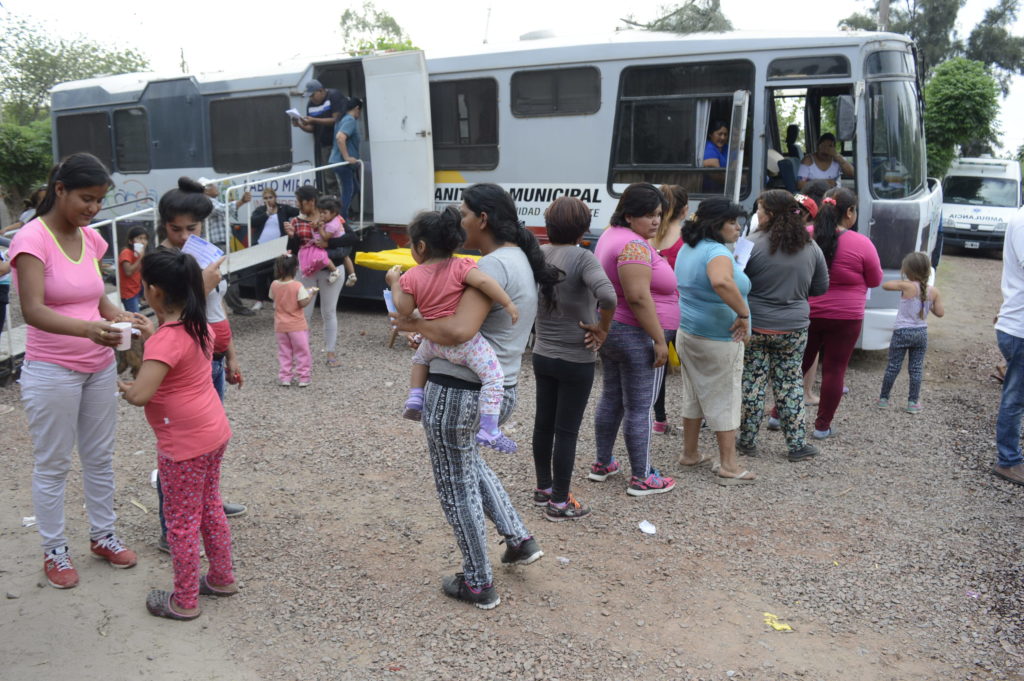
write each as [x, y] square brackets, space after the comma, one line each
[1010, 336]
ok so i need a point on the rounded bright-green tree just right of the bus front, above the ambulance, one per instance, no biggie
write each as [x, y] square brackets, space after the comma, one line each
[962, 104]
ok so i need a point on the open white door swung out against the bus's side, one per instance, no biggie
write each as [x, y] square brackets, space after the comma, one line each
[399, 100]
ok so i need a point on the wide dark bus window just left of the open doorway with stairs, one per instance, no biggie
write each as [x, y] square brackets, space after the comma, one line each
[249, 134]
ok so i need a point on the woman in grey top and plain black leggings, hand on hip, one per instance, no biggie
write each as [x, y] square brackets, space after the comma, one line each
[565, 353]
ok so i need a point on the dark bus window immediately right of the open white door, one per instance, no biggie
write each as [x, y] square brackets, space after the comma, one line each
[464, 119]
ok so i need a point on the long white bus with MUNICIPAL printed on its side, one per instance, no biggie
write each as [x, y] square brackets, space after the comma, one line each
[544, 118]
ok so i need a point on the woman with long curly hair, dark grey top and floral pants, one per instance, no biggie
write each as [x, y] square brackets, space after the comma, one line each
[786, 268]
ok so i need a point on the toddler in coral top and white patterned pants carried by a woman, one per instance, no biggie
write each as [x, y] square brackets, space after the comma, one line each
[436, 287]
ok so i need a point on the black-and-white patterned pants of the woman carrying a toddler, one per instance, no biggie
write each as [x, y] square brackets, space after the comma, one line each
[467, 489]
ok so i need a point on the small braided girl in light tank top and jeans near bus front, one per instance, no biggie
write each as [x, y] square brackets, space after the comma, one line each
[911, 332]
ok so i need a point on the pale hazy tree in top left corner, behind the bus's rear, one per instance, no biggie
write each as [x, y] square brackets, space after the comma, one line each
[33, 61]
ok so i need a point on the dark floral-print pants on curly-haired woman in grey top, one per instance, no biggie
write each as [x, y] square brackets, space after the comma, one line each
[777, 357]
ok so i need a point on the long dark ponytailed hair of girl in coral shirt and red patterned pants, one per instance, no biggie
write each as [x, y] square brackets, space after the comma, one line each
[179, 276]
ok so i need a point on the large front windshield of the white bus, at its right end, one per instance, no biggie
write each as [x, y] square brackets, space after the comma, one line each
[898, 140]
